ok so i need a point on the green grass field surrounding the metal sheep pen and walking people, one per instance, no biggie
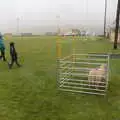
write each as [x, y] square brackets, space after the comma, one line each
[30, 92]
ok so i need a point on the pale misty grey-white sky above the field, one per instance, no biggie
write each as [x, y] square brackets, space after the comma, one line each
[43, 13]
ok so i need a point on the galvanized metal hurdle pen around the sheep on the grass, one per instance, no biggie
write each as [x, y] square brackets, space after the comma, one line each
[73, 73]
